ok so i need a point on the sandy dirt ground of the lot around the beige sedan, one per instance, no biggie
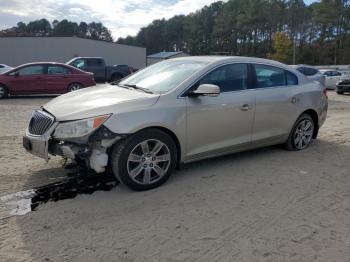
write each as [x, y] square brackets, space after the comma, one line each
[263, 205]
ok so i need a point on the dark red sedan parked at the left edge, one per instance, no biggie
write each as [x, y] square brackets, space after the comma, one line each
[43, 78]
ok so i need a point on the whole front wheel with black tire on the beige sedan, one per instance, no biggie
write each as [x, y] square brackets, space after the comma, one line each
[144, 160]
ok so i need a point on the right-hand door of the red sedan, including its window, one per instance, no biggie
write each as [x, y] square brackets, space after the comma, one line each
[58, 78]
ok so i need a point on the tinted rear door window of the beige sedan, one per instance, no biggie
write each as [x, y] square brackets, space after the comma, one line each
[269, 76]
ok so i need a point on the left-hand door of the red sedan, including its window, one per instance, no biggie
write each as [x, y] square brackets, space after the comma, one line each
[27, 80]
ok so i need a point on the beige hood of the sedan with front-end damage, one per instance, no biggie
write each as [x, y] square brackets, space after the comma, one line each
[95, 101]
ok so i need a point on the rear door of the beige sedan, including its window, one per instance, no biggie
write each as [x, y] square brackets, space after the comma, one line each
[276, 104]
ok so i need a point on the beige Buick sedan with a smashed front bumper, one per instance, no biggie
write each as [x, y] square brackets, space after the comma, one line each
[178, 111]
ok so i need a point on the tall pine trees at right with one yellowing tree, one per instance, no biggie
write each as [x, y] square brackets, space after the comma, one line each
[319, 33]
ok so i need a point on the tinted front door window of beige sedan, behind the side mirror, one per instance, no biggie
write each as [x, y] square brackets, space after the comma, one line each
[228, 78]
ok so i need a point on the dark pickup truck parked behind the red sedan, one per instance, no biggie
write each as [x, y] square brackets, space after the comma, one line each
[102, 72]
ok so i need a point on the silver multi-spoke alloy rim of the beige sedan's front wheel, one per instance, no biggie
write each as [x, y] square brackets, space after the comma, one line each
[148, 162]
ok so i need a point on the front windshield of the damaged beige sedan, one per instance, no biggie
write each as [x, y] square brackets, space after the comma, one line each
[164, 76]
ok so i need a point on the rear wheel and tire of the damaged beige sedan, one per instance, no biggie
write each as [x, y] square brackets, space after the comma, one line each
[301, 134]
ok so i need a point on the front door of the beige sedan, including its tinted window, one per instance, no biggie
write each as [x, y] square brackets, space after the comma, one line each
[216, 125]
